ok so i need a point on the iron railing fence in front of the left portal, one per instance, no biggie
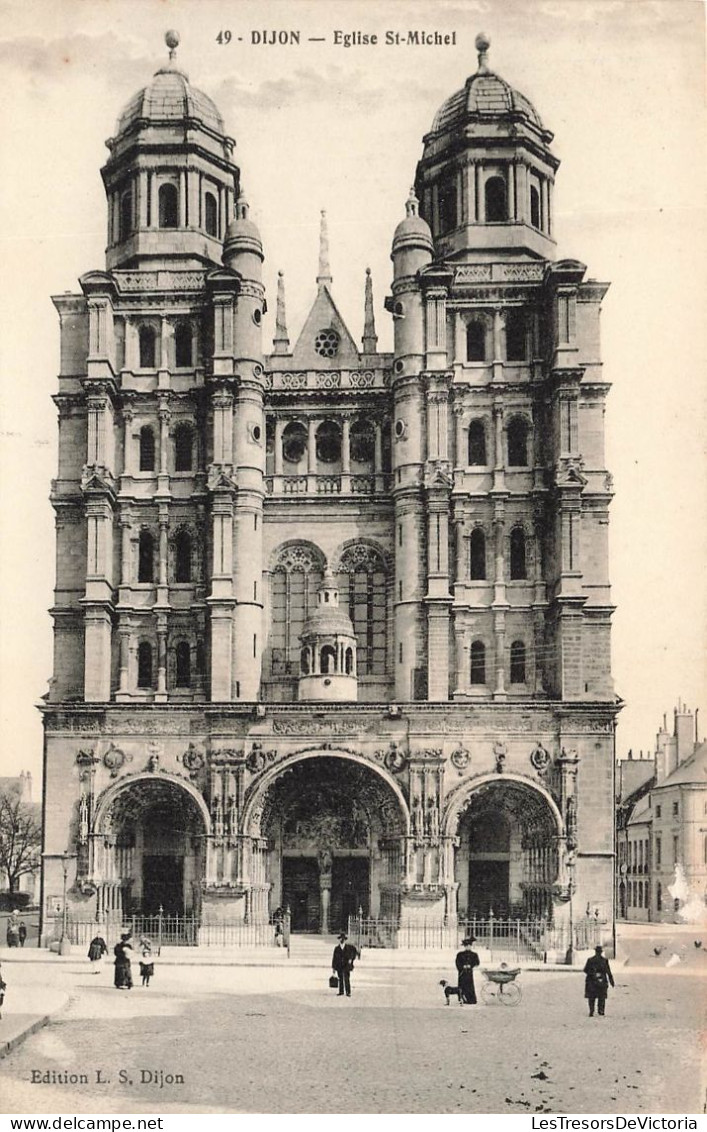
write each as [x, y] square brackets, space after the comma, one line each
[166, 931]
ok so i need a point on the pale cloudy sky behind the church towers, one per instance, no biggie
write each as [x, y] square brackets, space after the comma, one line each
[321, 126]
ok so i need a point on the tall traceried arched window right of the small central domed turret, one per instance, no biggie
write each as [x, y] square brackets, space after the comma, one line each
[363, 591]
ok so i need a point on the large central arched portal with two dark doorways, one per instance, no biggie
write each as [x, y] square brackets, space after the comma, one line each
[335, 834]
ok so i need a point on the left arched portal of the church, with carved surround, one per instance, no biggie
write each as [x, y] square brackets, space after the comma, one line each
[149, 847]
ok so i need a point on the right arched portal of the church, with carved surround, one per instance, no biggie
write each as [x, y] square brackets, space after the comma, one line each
[507, 862]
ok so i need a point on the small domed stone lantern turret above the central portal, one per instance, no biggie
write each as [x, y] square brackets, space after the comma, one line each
[329, 656]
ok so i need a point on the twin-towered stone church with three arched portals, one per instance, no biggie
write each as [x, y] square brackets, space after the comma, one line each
[332, 627]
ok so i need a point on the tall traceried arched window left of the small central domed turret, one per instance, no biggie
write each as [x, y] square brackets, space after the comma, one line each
[295, 588]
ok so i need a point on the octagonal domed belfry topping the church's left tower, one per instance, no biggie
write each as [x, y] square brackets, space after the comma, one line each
[170, 178]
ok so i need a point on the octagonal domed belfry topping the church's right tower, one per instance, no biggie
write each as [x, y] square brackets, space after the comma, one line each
[486, 177]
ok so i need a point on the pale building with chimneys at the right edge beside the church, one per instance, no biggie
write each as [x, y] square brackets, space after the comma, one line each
[662, 830]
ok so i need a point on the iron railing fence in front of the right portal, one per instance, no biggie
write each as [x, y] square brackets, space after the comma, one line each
[510, 940]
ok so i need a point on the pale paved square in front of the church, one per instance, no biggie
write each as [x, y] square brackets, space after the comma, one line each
[275, 1042]
